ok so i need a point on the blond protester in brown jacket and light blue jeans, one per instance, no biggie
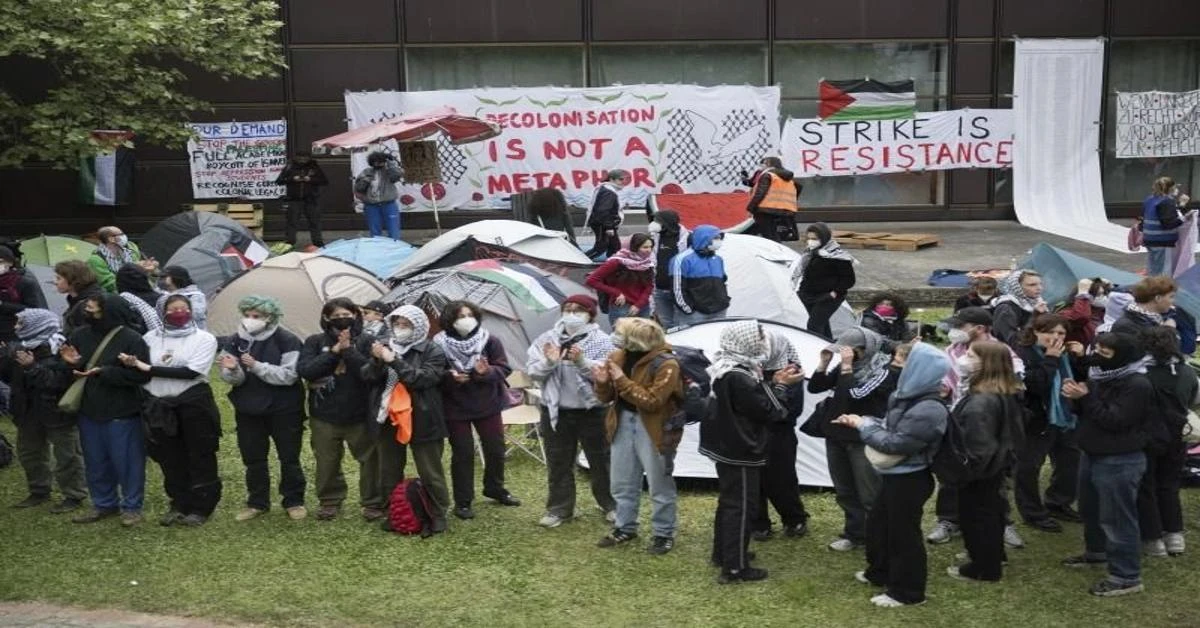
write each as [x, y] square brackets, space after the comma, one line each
[644, 387]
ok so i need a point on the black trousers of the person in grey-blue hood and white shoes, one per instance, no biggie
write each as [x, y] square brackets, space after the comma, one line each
[896, 547]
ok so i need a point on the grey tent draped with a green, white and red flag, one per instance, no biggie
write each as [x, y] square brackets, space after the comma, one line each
[520, 302]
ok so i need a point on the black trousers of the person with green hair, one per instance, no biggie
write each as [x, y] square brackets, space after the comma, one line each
[255, 436]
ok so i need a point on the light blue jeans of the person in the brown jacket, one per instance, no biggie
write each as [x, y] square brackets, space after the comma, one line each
[634, 453]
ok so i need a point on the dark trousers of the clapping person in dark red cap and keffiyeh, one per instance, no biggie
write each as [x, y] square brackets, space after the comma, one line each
[575, 429]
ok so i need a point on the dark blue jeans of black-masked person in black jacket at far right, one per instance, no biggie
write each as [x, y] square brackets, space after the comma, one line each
[1108, 503]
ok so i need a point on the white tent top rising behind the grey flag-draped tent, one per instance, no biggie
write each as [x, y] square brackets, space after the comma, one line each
[523, 238]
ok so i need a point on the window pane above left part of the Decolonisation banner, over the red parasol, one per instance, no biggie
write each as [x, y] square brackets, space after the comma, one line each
[494, 67]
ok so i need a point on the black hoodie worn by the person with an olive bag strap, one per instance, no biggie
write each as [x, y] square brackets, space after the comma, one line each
[116, 393]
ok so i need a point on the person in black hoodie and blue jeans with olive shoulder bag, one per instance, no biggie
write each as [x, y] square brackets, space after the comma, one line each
[110, 414]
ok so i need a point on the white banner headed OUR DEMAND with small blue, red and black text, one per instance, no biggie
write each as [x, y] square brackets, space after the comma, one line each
[238, 160]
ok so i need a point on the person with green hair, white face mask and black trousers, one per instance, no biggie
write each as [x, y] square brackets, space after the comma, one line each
[260, 363]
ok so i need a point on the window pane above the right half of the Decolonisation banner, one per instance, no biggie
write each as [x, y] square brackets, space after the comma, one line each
[710, 64]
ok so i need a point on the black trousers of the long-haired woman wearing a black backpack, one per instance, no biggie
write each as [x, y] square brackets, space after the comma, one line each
[982, 518]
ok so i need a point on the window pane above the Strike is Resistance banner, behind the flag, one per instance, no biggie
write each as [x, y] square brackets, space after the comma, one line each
[800, 68]
